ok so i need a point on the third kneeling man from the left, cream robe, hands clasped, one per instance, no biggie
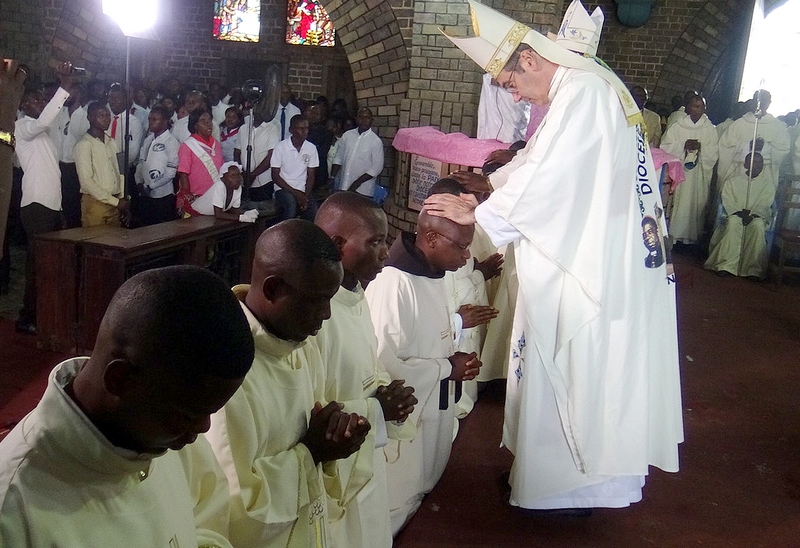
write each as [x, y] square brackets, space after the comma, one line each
[358, 508]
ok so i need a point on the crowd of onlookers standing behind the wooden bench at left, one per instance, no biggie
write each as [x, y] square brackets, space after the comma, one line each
[90, 154]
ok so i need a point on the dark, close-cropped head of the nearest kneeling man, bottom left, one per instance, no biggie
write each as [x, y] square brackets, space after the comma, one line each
[173, 347]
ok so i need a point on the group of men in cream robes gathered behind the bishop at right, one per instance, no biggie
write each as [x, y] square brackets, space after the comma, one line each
[727, 203]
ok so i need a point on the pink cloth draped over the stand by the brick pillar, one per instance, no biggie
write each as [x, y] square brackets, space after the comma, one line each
[453, 148]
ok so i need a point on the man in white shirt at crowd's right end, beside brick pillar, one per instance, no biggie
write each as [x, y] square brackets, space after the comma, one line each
[359, 157]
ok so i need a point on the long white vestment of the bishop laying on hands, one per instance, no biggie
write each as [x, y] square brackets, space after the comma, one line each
[593, 395]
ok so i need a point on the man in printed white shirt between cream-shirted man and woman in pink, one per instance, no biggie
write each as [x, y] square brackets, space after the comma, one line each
[155, 174]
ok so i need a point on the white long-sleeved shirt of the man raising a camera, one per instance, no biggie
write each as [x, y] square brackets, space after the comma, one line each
[38, 157]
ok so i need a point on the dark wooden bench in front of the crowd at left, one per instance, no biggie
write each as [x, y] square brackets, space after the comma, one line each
[78, 270]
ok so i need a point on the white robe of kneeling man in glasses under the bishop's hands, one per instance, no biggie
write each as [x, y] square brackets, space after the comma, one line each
[415, 340]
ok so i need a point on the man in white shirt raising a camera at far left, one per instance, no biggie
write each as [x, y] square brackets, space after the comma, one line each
[41, 182]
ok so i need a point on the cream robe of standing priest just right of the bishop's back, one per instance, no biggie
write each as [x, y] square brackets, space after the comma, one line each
[691, 197]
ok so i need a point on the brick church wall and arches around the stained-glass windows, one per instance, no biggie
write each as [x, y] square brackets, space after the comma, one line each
[402, 67]
